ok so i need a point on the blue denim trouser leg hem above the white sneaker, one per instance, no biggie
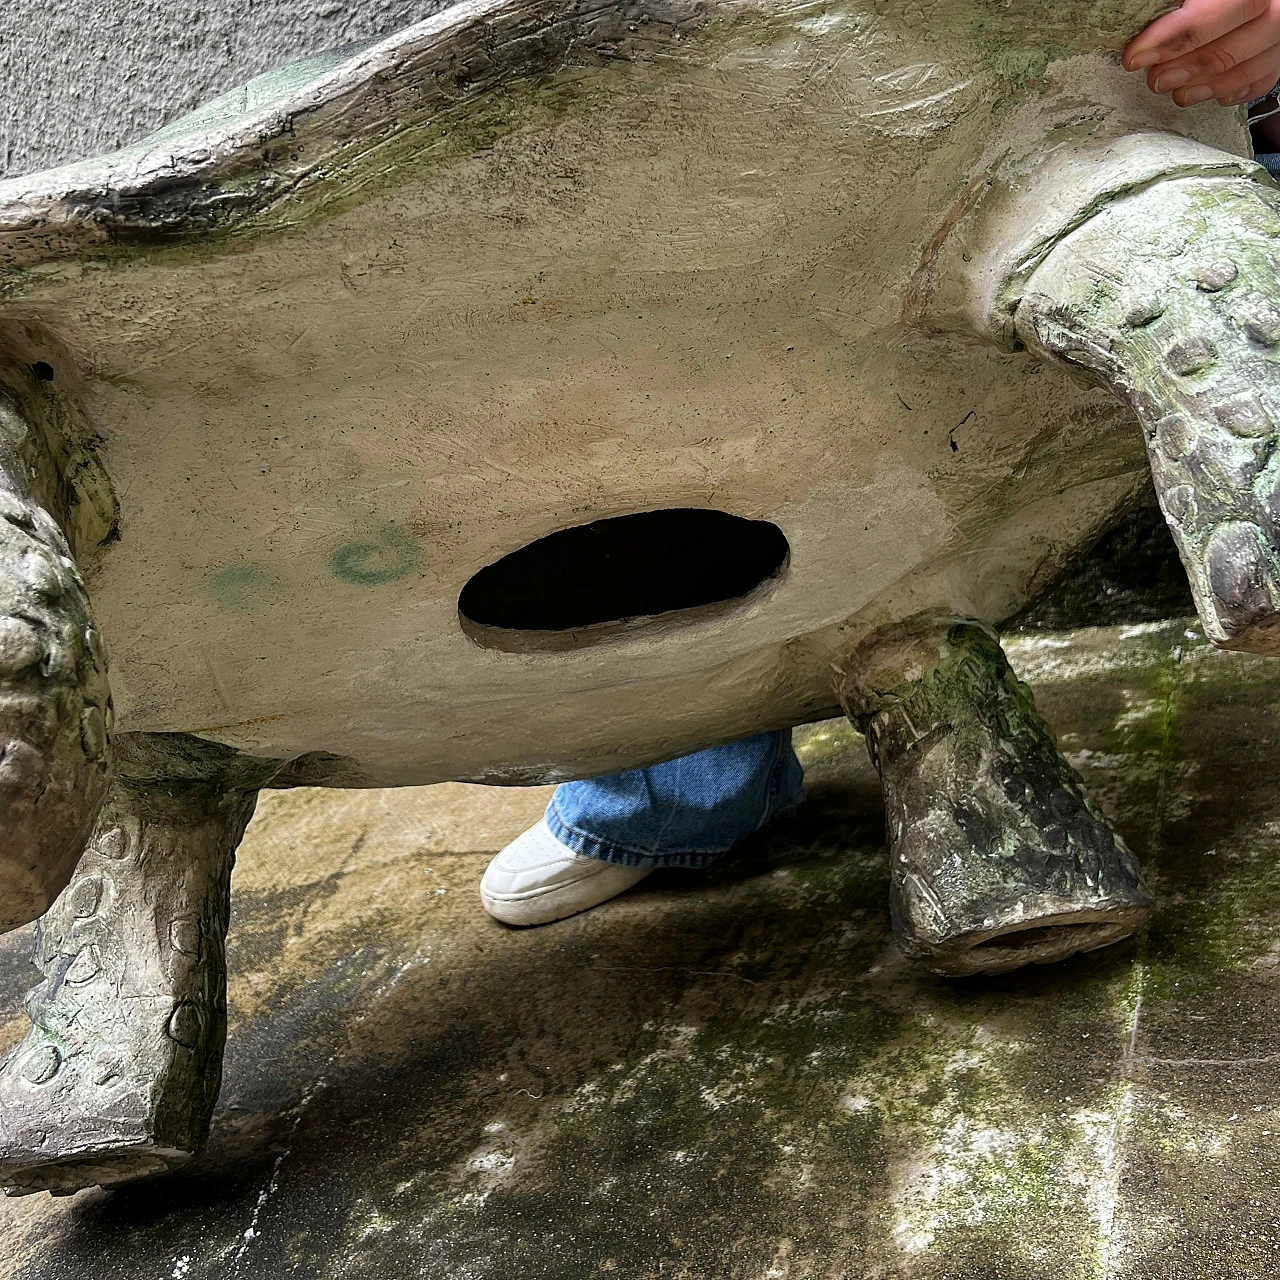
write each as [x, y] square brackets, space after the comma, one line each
[685, 812]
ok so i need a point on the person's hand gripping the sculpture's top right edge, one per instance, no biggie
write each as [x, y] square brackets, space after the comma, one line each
[1224, 49]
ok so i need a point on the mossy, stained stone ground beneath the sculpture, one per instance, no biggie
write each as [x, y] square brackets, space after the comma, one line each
[733, 1075]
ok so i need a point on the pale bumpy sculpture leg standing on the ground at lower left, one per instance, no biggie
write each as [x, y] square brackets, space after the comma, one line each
[121, 1071]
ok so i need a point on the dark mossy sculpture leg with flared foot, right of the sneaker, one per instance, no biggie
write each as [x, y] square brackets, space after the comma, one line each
[998, 858]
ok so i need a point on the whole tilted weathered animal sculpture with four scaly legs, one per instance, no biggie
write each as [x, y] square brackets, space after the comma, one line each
[556, 388]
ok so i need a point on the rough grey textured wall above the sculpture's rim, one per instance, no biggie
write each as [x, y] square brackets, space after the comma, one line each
[88, 76]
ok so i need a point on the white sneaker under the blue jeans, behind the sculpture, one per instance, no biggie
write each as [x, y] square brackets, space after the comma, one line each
[537, 880]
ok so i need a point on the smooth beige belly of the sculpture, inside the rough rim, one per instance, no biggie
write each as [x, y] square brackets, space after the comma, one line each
[321, 438]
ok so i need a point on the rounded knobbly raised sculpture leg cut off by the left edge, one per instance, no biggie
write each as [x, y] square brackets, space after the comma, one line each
[54, 698]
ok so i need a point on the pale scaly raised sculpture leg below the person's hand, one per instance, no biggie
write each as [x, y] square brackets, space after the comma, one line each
[1172, 299]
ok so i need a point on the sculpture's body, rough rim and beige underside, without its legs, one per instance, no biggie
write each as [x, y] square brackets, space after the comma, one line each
[405, 312]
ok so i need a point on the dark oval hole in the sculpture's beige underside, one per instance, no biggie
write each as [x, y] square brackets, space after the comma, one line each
[625, 568]
